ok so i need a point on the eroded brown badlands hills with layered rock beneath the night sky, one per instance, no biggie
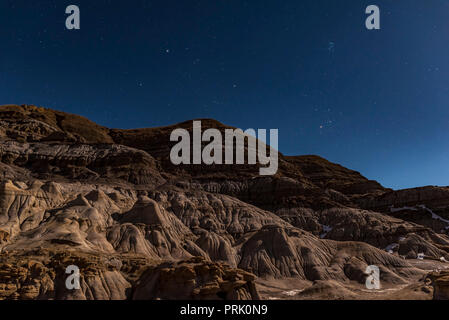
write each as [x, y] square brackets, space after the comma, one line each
[110, 202]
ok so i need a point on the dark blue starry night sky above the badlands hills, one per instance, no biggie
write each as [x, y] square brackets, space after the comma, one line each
[373, 101]
